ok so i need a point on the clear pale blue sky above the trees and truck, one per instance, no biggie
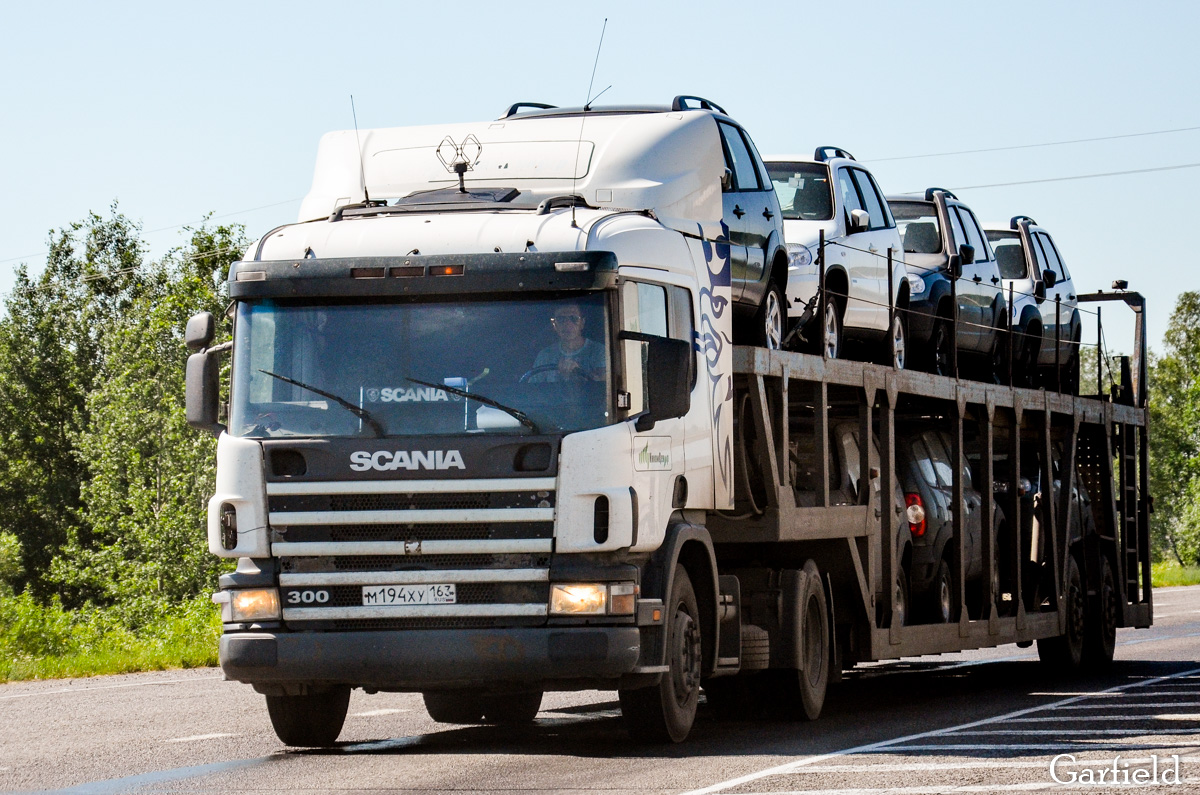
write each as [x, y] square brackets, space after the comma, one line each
[218, 107]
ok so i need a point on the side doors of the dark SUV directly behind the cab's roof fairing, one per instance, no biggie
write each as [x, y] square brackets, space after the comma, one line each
[745, 187]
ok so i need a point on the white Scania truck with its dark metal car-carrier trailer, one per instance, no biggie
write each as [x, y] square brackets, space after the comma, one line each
[487, 435]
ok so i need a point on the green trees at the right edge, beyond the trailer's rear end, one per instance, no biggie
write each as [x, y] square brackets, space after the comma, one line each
[1175, 435]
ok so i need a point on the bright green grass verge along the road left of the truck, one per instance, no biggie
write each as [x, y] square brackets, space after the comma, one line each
[46, 642]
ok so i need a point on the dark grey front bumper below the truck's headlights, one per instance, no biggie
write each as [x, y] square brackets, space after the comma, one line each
[434, 659]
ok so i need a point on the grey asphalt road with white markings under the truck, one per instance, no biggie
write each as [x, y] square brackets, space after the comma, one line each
[986, 721]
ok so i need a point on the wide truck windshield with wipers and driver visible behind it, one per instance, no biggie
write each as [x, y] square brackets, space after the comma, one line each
[403, 369]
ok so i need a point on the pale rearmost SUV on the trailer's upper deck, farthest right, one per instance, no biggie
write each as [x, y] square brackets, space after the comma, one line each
[1045, 307]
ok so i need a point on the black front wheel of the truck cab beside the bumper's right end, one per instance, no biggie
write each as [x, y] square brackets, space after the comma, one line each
[665, 713]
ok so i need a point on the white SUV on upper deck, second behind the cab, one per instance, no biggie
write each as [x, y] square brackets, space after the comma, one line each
[832, 193]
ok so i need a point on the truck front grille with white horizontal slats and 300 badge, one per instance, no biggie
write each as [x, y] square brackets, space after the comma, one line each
[491, 540]
